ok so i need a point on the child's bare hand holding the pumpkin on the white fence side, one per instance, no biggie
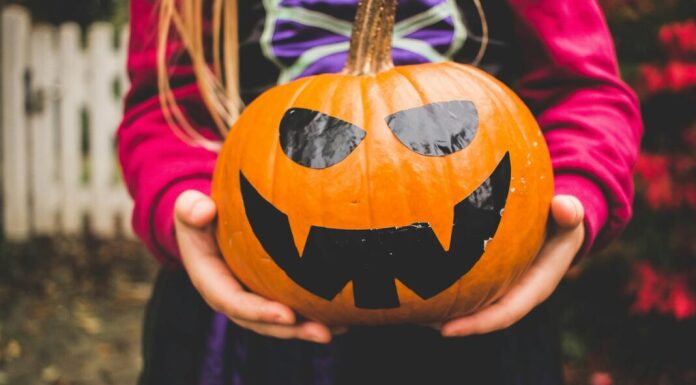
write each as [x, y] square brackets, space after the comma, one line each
[193, 216]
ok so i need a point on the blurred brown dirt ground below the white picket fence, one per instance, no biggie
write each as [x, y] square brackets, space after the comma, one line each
[71, 311]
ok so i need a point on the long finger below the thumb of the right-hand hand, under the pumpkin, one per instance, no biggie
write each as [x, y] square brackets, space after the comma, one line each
[535, 286]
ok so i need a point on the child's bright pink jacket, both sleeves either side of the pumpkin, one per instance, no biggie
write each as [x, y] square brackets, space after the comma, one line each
[570, 80]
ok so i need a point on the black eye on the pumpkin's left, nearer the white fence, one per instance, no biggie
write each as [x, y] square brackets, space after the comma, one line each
[313, 139]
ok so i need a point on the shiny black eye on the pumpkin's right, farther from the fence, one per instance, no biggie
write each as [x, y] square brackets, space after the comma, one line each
[436, 129]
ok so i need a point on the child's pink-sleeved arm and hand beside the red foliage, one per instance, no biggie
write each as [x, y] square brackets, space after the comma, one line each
[591, 122]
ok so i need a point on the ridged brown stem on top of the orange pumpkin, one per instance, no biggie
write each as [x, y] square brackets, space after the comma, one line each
[371, 40]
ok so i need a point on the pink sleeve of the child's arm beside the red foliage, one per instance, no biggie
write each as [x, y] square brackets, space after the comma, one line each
[590, 118]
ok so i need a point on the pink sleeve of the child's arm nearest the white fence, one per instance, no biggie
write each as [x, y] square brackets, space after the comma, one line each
[156, 164]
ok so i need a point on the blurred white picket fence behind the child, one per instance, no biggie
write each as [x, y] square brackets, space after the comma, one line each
[60, 110]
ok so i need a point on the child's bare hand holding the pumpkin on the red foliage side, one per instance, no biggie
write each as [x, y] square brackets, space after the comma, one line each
[537, 284]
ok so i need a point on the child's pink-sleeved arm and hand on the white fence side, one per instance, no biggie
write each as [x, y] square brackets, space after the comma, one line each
[161, 170]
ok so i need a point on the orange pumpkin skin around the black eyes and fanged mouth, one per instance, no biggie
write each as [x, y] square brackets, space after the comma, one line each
[384, 184]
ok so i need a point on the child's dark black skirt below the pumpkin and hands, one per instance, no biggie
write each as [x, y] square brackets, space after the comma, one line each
[178, 324]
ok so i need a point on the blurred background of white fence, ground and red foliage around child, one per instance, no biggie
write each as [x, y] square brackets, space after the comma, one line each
[74, 281]
